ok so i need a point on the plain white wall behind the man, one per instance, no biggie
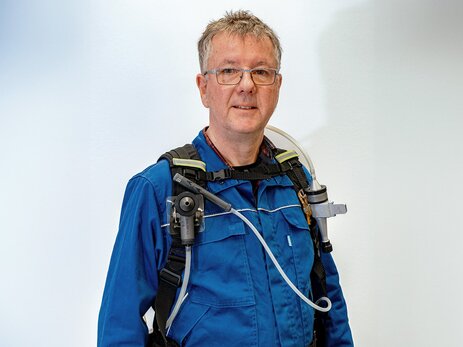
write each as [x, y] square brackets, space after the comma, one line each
[91, 92]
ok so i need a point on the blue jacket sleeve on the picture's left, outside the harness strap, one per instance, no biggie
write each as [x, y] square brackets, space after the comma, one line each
[131, 283]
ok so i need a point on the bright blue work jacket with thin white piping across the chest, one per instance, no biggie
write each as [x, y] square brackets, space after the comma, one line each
[236, 297]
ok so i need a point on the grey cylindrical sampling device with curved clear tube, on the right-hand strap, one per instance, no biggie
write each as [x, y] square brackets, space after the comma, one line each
[317, 194]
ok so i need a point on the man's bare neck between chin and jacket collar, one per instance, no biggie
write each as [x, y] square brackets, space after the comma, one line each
[237, 150]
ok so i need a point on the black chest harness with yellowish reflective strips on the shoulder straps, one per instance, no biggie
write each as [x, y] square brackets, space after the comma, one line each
[187, 162]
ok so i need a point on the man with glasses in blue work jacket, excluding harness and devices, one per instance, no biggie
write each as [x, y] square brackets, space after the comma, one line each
[235, 297]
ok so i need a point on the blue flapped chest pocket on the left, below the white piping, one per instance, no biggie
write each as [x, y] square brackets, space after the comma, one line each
[220, 270]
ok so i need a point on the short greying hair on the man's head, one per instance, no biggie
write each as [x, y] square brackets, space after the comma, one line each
[239, 23]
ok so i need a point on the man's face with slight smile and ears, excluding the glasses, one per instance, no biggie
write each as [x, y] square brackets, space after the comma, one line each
[243, 108]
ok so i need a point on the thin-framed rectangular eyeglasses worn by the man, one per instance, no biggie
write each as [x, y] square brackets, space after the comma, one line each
[233, 76]
